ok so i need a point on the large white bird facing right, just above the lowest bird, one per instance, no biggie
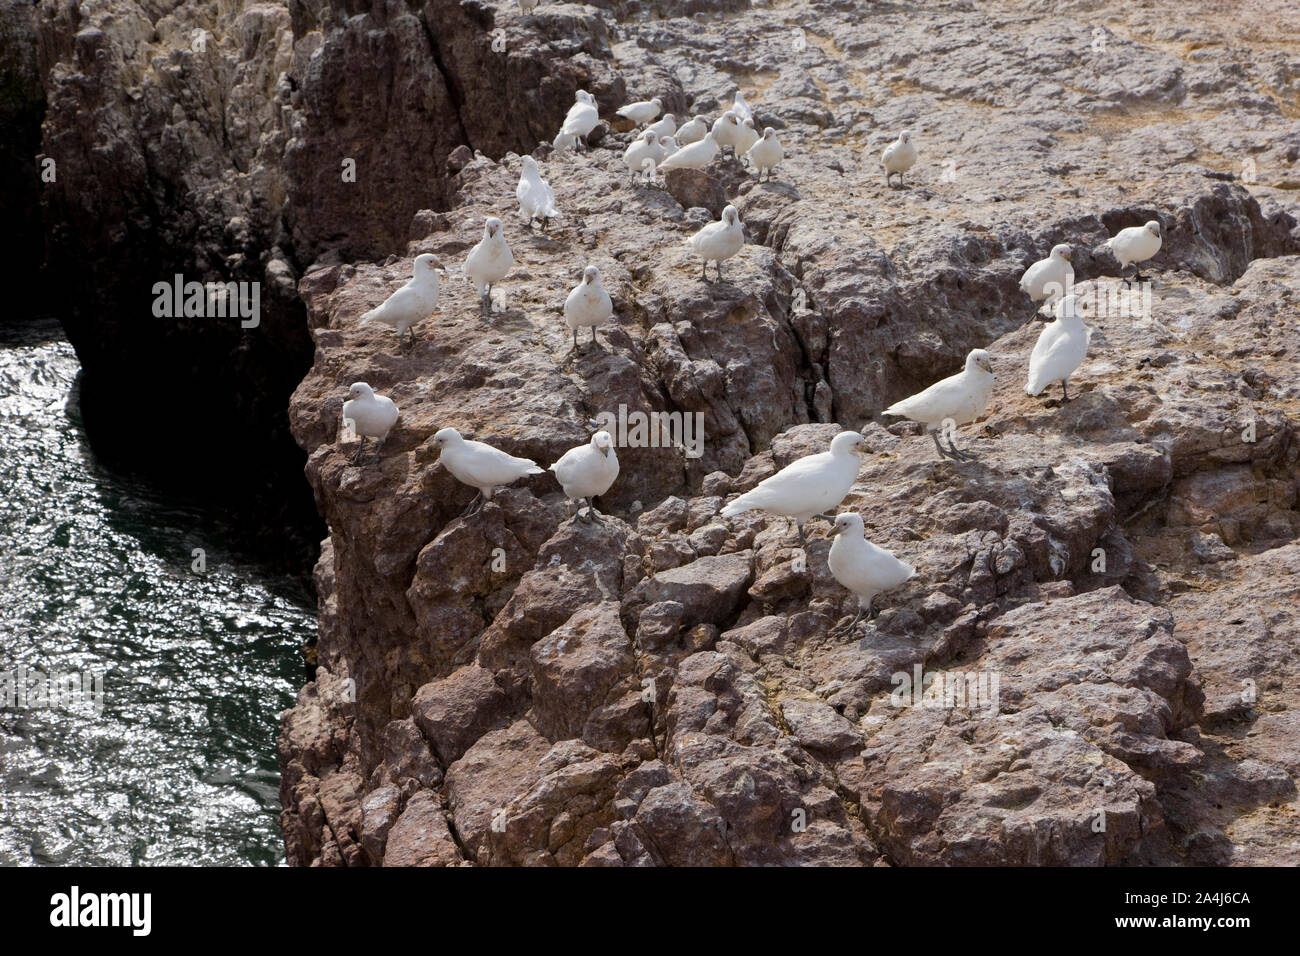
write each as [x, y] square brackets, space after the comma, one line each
[808, 487]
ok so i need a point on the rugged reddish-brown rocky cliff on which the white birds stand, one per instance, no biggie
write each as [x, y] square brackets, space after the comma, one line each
[665, 689]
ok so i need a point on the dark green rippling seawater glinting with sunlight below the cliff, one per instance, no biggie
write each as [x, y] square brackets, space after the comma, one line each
[97, 576]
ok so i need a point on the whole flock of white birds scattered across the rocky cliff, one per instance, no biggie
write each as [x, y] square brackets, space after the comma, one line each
[812, 487]
